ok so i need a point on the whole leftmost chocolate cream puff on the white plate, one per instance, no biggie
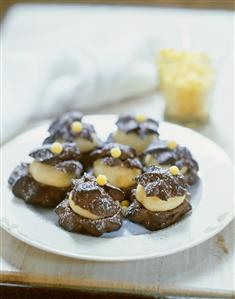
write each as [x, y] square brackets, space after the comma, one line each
[29, 180]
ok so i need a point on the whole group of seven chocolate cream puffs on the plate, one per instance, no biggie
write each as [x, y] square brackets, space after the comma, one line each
[93, 185]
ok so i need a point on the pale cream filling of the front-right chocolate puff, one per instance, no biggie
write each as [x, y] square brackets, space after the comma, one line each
[155, 204]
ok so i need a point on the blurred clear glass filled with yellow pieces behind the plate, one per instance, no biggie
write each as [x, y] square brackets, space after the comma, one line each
[186, 81]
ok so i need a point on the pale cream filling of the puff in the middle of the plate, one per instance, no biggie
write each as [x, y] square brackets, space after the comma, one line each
[119, 176]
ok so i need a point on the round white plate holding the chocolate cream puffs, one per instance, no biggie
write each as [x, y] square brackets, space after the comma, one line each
[212, 202]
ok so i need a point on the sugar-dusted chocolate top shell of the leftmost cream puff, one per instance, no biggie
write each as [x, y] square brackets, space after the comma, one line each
[66, 161]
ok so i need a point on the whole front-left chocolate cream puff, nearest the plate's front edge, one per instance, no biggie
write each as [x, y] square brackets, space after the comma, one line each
[92, 207]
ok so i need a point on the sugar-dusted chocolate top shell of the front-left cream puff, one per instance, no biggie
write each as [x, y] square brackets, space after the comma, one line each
[87, 194]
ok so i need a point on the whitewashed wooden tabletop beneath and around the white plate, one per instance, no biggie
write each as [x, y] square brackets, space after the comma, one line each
[207, 269]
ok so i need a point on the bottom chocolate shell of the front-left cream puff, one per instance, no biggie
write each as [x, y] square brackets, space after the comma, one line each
[72, 222]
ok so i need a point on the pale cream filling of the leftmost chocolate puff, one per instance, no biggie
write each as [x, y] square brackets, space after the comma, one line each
[48, 175]
